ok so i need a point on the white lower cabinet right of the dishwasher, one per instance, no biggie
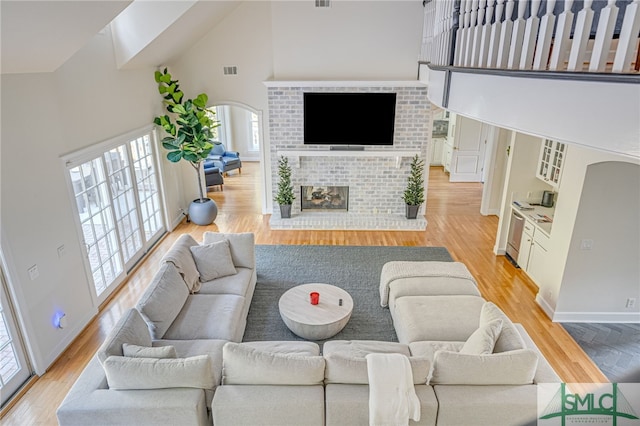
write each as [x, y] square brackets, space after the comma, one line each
[533, 251]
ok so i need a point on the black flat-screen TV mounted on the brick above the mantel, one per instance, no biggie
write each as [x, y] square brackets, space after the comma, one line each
[349, 118]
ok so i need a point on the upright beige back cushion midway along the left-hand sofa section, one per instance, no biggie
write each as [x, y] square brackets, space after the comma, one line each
[163, 300]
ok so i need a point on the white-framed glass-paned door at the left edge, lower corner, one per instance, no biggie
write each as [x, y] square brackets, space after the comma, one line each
[14, 369]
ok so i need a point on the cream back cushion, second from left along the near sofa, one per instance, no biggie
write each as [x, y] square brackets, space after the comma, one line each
[246, 365]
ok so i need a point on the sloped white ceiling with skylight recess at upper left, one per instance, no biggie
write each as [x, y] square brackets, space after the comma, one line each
[40, 36]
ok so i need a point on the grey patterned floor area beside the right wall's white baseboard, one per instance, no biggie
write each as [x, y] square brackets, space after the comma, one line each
[614, 348]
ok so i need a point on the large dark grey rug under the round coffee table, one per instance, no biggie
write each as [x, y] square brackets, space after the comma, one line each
[356, 269]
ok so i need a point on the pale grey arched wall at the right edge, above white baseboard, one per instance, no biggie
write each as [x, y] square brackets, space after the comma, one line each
[597, 282]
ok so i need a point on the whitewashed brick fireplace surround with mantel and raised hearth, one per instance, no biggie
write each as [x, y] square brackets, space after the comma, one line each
[376, 177]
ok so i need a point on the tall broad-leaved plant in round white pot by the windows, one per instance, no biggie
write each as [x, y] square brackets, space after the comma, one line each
[189, 138]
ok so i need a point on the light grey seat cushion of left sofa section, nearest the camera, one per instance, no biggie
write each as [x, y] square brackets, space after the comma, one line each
[208, 316]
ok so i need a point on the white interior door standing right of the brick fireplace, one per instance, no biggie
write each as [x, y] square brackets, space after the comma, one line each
[469, 146]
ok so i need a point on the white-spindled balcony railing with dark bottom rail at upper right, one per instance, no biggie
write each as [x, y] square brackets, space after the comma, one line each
[600, 37]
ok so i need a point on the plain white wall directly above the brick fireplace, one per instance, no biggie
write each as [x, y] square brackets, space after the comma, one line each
[351, 40]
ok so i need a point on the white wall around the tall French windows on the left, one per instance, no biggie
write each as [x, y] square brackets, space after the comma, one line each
[45, 116]
